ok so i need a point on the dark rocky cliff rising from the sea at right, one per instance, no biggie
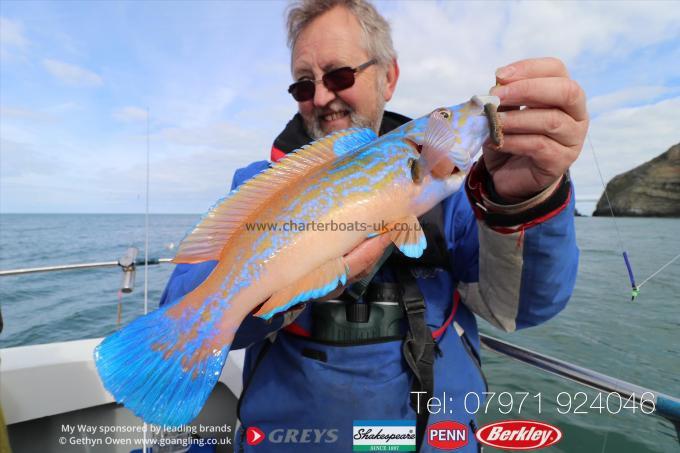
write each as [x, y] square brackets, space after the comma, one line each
[650, 190]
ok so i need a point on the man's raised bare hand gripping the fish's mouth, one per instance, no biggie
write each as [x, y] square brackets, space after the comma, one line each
[542, 140]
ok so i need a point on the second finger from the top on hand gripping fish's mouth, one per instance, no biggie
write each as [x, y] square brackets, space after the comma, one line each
[556, 92]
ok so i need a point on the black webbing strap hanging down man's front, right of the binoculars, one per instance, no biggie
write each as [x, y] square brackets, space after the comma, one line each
[418, 349]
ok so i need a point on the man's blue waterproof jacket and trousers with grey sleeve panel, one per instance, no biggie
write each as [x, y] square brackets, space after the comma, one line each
[515, 275]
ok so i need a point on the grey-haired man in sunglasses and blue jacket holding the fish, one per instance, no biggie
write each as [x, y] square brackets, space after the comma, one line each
[504, 248]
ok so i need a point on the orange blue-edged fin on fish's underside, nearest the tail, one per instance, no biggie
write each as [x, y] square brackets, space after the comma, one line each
[316, 284]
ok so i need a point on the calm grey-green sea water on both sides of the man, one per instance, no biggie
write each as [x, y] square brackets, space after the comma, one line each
[601, 328]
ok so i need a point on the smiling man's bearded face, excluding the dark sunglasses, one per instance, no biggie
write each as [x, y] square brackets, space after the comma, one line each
[331, 41]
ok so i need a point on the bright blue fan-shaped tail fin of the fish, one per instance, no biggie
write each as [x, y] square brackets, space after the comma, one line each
[163, 366]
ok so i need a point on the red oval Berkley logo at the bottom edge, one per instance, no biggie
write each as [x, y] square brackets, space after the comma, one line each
[519, 435]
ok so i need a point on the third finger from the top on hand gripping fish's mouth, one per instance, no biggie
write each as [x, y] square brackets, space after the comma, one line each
[552, 123]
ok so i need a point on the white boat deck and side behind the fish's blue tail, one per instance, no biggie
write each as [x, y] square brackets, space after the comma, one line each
[46, 387]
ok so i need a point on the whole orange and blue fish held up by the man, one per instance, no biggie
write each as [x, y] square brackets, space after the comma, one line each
[163, 366]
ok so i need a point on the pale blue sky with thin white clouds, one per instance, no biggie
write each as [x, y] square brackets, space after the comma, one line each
[78, 78]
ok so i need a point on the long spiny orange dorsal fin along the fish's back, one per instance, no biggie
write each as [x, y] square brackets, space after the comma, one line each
[207, 240]
